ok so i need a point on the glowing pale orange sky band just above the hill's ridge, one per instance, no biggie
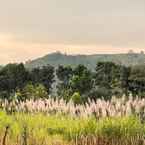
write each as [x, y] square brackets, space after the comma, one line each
[12, 50]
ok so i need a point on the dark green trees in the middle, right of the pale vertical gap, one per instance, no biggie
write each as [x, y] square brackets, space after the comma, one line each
[78, 79]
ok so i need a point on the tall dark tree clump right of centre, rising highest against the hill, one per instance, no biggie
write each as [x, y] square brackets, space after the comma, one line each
[111, 79]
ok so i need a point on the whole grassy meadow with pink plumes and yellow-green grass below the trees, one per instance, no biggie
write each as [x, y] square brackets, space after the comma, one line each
[57, 122]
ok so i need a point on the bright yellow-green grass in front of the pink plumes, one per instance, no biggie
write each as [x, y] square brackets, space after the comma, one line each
[42, 129]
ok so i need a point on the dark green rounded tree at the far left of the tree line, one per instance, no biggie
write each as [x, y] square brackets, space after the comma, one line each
[12, 76]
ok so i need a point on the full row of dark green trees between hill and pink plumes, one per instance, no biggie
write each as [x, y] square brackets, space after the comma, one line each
[78, 83]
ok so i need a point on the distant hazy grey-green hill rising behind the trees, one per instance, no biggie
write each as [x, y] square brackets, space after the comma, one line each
[88, 60]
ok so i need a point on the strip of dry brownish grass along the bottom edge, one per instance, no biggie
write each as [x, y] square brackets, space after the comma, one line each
[88, 140]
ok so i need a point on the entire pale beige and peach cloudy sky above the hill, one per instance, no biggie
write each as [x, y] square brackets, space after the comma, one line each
[33, 28]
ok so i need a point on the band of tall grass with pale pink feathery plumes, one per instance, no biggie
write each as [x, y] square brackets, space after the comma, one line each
[116, 107]
